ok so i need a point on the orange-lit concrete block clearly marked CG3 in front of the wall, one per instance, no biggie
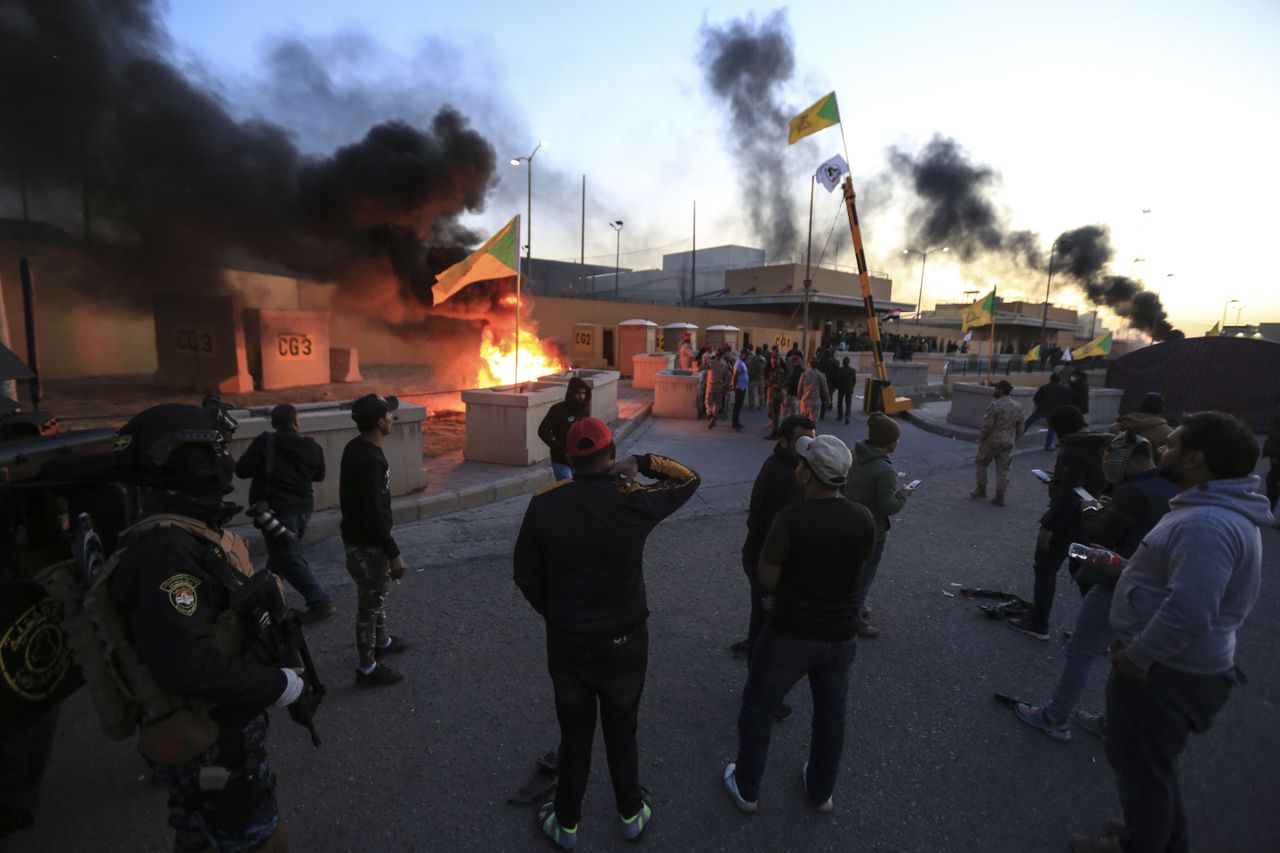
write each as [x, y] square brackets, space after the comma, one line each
[287, 349]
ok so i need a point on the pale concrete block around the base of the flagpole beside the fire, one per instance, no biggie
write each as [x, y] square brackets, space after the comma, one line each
[502, 422]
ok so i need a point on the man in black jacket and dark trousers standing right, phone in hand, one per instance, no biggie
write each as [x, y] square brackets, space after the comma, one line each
[1078, 466]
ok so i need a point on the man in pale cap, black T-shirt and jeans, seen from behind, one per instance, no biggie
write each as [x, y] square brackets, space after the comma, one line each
[811, 562]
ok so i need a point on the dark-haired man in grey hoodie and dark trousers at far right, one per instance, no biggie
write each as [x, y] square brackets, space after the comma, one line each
[1177, 610]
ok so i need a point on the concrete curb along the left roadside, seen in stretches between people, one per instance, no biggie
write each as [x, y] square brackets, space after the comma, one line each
[426, 505]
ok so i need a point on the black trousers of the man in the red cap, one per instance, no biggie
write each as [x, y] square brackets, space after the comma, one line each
[611, 673]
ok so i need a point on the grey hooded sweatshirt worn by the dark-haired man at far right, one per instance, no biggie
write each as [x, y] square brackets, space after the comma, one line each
[1192, 582]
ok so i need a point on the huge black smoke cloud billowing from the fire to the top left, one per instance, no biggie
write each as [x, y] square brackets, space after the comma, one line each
[102, 130]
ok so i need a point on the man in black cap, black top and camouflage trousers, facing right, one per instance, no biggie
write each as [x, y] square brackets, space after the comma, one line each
[373, 558]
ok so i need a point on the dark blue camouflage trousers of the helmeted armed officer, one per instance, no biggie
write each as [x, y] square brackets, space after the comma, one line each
[226, 800]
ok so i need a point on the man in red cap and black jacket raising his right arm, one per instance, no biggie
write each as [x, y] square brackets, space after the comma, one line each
[579, 562]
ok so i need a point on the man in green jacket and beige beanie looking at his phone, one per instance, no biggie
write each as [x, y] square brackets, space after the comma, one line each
[876, 485]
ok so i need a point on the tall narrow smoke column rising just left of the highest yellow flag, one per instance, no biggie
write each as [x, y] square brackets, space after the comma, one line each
[747, 65]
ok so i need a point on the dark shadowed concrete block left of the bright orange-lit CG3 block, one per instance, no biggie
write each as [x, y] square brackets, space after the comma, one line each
[200, 344]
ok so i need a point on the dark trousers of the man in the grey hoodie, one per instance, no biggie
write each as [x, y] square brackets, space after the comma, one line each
[1149, 722]
